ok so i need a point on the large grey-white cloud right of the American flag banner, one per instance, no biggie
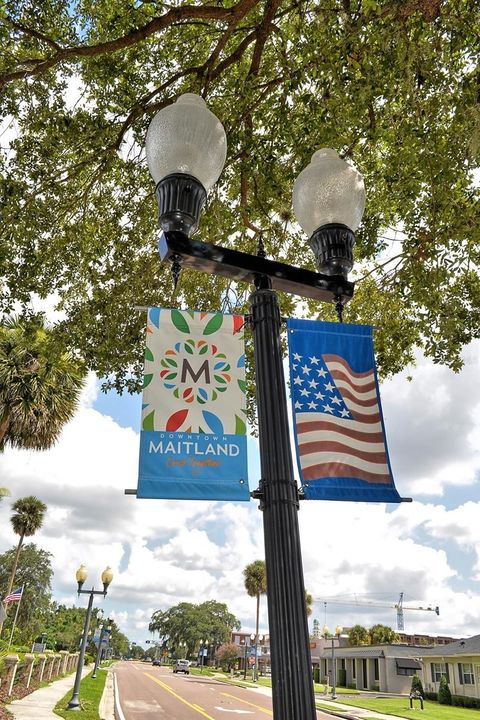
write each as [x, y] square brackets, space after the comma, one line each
[432, 424]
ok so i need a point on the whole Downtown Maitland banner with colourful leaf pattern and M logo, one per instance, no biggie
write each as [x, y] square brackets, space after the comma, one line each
[193, 443]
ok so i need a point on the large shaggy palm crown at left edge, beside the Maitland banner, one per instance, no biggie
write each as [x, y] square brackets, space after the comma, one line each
[40, 383]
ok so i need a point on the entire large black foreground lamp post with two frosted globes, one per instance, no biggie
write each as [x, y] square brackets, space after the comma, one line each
[186, 150]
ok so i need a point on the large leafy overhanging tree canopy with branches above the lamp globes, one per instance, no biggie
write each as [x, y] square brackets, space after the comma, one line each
[393, 86]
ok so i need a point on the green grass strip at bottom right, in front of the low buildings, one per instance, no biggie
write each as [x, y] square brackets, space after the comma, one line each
[401, 708]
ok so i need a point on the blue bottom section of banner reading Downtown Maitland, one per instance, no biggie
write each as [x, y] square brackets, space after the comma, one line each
[192, 466]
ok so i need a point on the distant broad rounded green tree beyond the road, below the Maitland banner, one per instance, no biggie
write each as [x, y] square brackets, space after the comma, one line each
[188, 623]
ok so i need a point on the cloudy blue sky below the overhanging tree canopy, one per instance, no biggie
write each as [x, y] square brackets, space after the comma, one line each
[163, 552]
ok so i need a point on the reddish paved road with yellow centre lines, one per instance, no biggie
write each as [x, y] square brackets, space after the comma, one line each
[155, 693]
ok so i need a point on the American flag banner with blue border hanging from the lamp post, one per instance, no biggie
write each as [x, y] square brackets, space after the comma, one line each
[340, 437]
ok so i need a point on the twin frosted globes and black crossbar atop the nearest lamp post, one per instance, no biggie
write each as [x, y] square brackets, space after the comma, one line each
[186, 149]
